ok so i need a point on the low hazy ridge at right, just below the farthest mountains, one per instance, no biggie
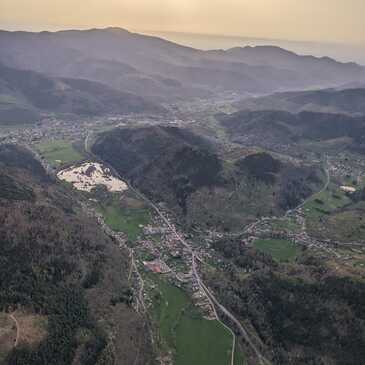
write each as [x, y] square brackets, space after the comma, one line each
[351, 101]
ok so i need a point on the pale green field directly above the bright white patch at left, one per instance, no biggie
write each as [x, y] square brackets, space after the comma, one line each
[59, 152]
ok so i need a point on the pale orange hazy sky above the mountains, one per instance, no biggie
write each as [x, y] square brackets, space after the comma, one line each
[318, 20]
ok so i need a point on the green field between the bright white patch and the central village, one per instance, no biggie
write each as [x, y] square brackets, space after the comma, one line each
[127, 220]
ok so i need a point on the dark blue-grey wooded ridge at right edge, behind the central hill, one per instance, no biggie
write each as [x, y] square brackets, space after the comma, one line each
[277, 128]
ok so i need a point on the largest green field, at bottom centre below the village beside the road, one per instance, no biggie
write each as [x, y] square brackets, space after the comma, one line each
[195, 340]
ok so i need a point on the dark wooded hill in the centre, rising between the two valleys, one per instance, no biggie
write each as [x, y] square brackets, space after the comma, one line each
[182, 169]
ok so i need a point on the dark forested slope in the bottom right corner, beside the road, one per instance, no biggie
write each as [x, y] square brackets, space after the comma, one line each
[304, 312]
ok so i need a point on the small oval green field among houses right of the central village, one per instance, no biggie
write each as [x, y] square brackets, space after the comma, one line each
[280, 250]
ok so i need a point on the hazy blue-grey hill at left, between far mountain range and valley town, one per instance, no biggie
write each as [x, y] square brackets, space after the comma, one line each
[25, 94]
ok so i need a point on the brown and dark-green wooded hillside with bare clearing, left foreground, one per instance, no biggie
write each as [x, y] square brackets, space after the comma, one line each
[60, 272]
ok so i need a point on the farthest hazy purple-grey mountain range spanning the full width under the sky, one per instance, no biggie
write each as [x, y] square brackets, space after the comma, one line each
[164, 71]
